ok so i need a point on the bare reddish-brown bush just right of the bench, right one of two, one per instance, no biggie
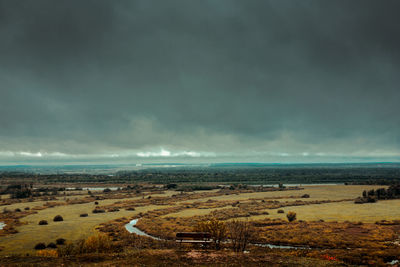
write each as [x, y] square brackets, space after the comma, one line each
[240, 234]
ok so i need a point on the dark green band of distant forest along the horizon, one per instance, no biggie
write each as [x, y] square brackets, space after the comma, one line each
[225, 175]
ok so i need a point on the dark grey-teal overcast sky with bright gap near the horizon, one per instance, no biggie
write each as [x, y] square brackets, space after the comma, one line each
[199, 81]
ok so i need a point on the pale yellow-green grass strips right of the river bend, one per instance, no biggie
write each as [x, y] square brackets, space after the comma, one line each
[338, 211]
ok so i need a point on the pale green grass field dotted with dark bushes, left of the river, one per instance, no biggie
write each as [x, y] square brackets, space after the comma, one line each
[72, 228]
